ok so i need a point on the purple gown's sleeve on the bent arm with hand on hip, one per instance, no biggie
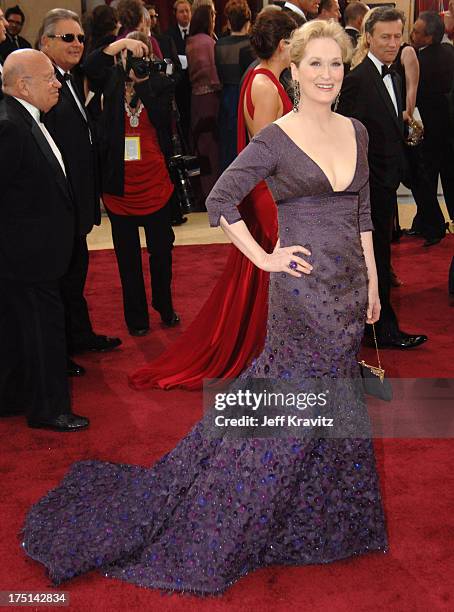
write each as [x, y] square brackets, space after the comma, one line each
[256, 162]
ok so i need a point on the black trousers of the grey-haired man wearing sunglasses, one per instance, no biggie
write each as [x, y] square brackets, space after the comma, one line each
[72, 285]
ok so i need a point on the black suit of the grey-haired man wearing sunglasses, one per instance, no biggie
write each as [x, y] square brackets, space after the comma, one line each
[72, 134]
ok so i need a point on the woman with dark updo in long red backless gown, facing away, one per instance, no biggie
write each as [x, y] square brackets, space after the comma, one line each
[230, 329]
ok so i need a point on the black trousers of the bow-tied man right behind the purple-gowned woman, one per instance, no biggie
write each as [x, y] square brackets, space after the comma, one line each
[383, 204]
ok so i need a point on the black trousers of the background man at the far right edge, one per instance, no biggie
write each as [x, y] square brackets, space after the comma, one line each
[437, 161]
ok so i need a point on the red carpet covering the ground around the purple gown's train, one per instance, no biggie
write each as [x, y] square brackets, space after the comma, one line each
[417, 475]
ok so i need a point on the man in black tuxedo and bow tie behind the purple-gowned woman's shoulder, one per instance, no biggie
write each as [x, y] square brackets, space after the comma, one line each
[371, 94]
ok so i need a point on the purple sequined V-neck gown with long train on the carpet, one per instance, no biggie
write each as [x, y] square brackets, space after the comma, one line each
[212, 510]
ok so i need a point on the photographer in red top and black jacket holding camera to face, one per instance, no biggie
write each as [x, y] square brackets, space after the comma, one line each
[134, 131]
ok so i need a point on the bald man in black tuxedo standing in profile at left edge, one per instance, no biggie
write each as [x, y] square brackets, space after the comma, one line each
[36, 239]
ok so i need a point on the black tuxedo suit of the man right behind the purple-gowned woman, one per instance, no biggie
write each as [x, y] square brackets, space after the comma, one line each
[365, 97]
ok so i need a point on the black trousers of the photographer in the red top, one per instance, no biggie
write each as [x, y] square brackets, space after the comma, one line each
[159, 237]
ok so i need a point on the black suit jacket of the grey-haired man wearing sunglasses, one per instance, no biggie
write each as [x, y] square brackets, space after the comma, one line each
[71, 132]
